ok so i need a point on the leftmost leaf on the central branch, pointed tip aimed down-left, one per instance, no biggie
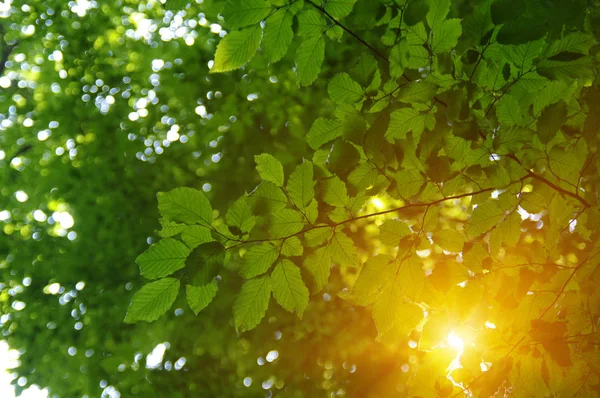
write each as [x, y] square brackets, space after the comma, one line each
[152, 300]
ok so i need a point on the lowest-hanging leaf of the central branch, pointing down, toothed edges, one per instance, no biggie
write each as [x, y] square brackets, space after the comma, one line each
[251, 303]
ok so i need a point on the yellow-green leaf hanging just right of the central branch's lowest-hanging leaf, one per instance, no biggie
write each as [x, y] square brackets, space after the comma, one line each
[288, 287]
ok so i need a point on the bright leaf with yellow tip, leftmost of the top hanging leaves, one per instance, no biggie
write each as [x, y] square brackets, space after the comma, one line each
[236, 49]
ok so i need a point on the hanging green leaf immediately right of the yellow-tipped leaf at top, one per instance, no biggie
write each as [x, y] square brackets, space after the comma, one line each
[278, 33]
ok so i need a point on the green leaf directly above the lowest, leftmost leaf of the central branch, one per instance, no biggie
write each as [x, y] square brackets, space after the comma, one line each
[162, 258]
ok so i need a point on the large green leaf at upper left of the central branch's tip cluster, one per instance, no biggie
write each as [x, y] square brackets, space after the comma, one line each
[185, 205]
